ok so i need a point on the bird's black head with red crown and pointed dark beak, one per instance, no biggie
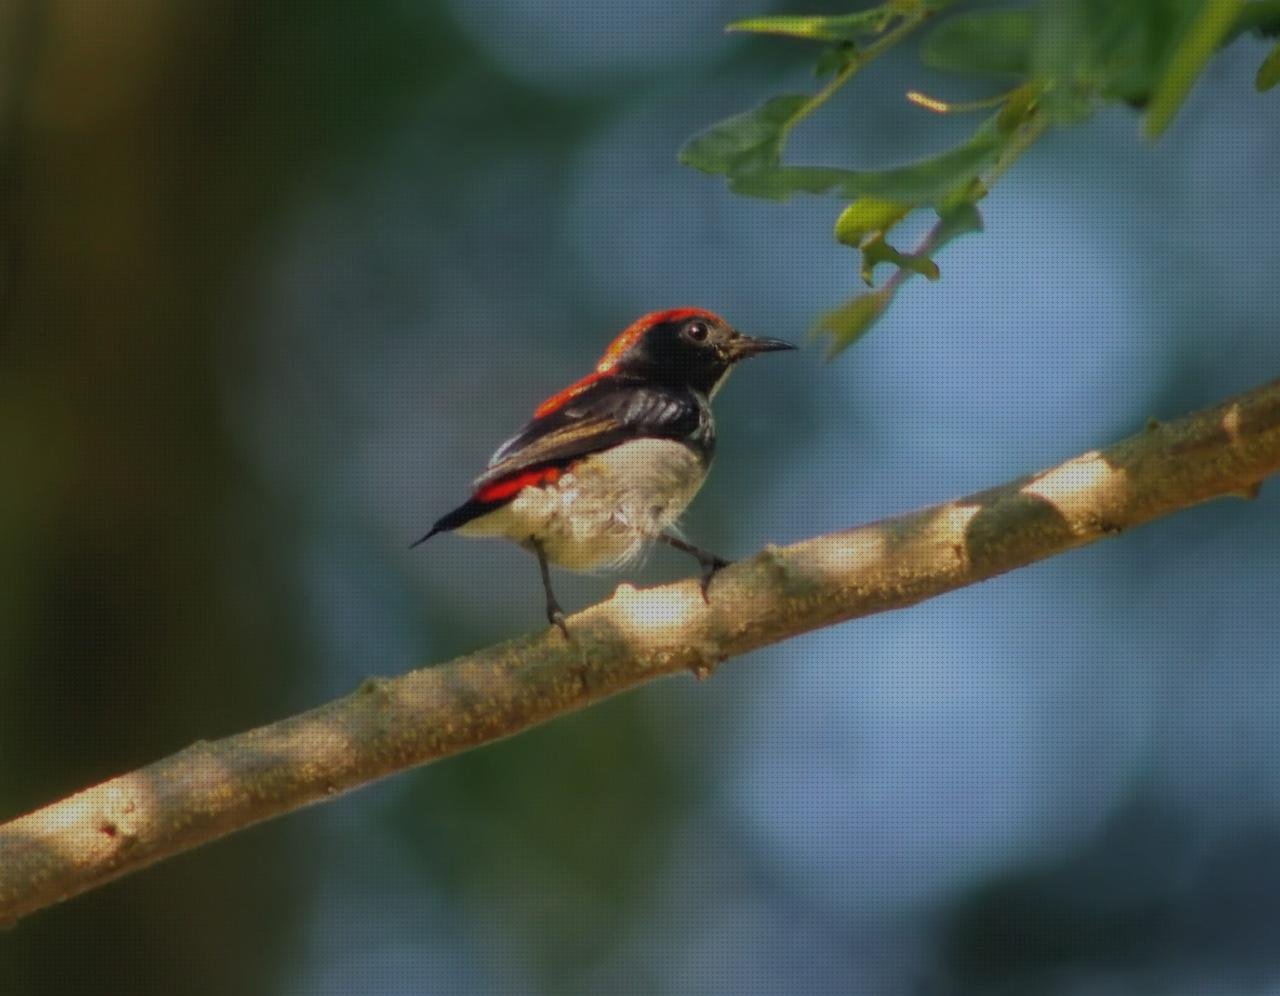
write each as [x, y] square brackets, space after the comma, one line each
[683, 348]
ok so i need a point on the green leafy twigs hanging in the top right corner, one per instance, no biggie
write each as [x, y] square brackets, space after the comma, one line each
[1058, 61]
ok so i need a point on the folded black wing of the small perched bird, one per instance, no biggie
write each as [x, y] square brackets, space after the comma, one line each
[605, 415]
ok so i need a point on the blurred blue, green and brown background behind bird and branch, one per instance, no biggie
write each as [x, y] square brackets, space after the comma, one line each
[278, 278]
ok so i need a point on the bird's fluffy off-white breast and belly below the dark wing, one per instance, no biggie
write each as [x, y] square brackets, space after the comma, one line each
[606, 509]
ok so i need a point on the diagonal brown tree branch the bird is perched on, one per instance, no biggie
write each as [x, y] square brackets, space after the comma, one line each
[387, 725]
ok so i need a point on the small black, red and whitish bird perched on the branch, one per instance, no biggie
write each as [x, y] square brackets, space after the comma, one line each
[606, 468]
